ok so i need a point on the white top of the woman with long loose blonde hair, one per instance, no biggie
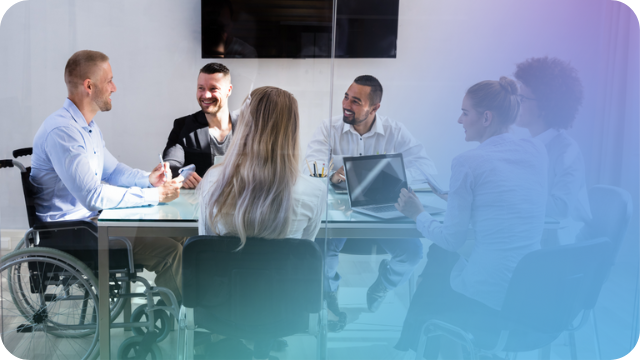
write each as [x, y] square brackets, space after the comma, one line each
[309, 202]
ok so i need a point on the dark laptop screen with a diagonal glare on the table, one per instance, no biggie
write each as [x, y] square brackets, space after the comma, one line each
[375, 179]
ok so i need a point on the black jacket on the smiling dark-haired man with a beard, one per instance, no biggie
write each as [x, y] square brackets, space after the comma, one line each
[190, 143]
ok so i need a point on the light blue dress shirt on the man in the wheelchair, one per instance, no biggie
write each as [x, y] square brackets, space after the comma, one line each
[75, 176]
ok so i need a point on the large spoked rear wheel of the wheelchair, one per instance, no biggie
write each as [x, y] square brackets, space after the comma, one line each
[49, 305]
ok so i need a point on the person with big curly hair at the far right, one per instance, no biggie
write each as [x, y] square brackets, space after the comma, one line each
[550, 96]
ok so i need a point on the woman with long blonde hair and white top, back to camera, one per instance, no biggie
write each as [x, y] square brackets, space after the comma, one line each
[258, 190]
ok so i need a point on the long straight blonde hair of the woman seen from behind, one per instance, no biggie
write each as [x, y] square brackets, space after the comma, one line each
[253, 195]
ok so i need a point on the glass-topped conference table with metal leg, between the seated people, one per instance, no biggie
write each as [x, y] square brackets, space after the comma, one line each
[179, 218]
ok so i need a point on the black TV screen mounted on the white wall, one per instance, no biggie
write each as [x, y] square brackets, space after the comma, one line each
[298, 28]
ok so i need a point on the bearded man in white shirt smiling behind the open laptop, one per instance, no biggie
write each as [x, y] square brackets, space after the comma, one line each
[362, 131]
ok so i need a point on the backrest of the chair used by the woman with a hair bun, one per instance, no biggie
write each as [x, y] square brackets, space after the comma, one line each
[548, 287]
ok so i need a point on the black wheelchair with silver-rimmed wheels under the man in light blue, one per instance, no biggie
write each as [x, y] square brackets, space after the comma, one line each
[49, 290]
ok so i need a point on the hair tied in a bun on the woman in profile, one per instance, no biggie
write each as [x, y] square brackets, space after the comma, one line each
[499, 97]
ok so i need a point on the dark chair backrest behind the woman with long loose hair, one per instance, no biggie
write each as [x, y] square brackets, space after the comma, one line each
[267, 289]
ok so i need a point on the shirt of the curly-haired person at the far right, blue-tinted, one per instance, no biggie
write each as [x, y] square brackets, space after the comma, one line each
[567, 188]
